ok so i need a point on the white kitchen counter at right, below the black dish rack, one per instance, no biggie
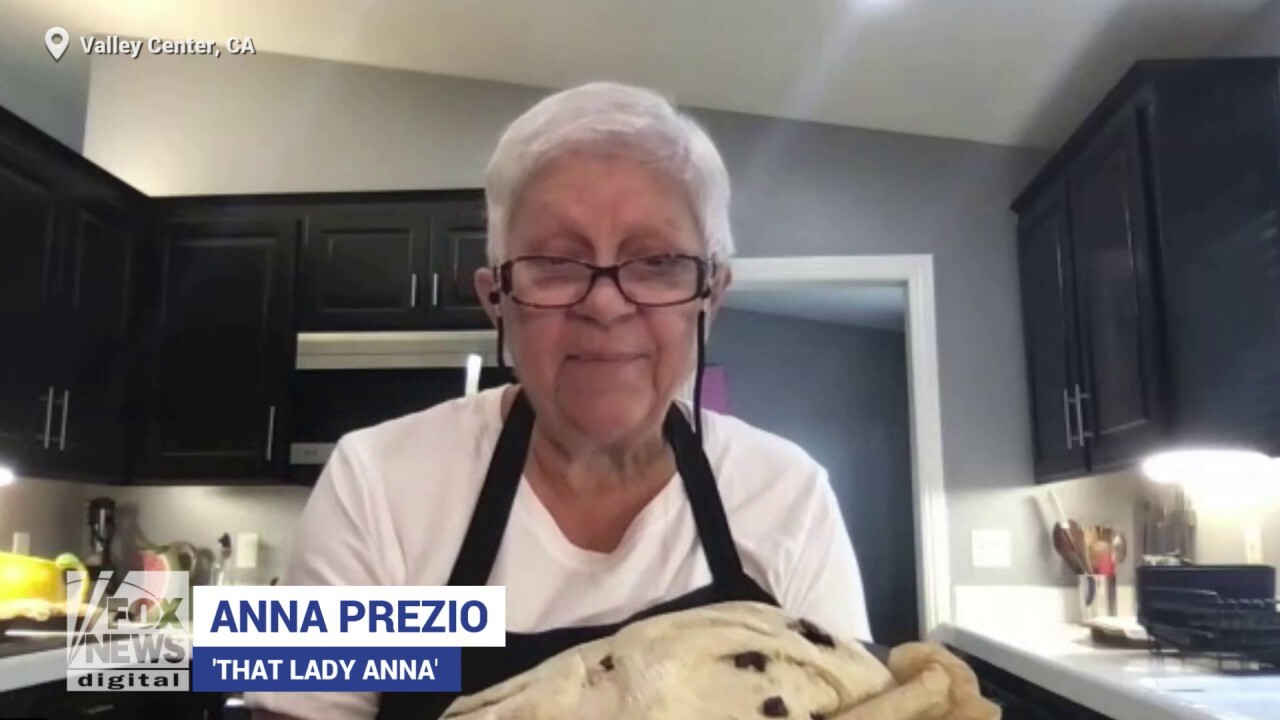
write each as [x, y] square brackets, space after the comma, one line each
[1123, 685]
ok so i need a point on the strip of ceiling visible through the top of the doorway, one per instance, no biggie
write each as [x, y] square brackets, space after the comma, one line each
[881, 308]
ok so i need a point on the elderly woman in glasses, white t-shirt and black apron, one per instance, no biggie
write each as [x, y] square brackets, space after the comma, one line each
[592, 490]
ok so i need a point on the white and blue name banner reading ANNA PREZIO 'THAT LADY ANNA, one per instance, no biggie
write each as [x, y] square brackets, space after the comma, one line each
[340, 639]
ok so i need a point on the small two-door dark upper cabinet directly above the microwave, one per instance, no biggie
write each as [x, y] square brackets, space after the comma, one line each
[399, 266]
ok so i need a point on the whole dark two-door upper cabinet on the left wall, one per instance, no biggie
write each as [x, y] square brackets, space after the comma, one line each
[68, 241]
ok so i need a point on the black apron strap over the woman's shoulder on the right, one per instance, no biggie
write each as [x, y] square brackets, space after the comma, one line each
[705, 499]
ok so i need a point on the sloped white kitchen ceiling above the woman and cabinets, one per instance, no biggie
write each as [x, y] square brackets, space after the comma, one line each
[1011, 72]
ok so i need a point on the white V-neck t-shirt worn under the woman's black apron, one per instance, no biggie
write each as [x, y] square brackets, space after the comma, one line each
[395, 502]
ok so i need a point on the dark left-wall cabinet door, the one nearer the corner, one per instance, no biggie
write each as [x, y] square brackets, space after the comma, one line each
[94, 332]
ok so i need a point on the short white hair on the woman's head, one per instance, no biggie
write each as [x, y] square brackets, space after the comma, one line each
[611, 117]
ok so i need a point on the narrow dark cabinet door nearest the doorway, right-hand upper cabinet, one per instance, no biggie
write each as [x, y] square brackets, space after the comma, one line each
[1049, 329]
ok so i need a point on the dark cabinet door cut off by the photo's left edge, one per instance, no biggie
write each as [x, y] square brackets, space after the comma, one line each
[29, 259]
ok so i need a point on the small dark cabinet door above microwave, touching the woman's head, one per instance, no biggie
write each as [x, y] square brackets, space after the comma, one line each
[459, 250]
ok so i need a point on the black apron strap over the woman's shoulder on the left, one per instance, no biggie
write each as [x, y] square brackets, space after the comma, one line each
[493, 509]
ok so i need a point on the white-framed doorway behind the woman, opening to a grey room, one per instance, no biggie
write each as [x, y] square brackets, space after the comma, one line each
[840, 357]
